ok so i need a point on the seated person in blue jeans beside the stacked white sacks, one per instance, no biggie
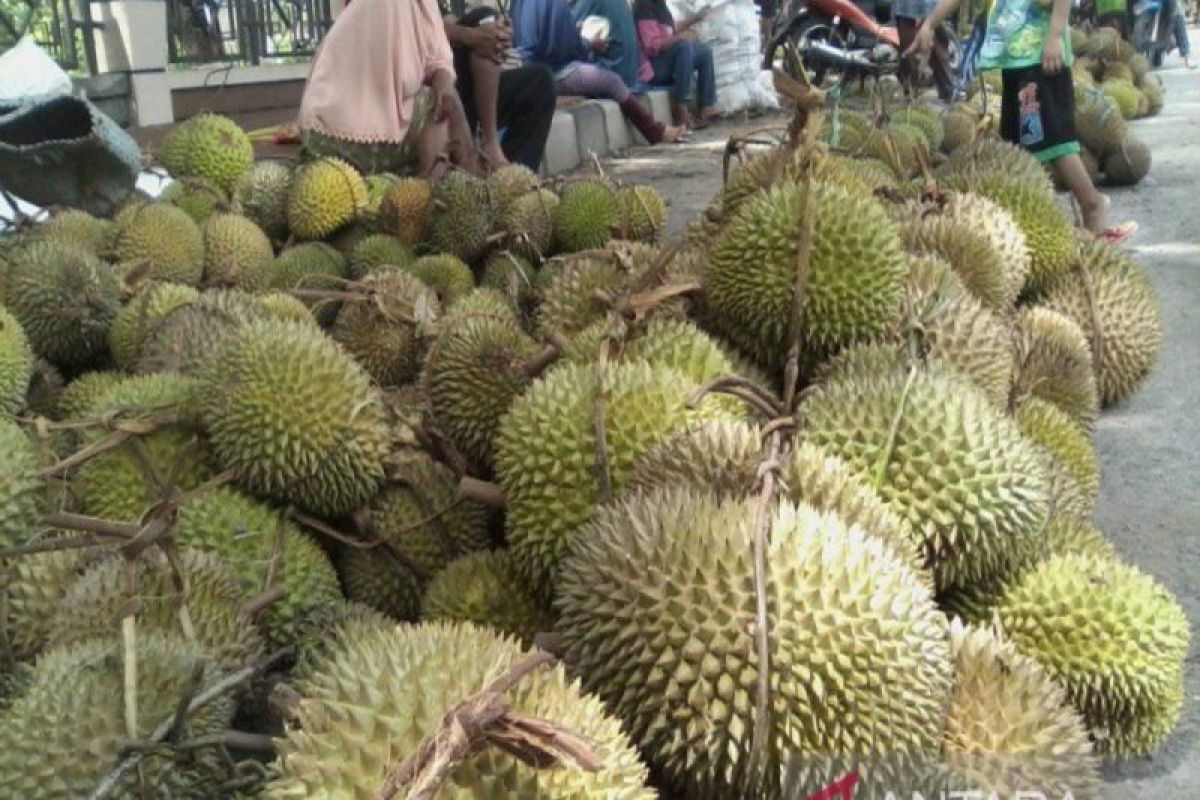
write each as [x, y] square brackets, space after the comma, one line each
[671, 56]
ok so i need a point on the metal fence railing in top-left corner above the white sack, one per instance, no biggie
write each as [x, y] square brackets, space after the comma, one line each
[63, 28]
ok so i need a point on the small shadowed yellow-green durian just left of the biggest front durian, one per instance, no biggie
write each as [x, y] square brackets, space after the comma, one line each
[487, 588]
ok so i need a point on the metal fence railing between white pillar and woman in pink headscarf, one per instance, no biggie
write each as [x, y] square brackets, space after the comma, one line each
[247, 32]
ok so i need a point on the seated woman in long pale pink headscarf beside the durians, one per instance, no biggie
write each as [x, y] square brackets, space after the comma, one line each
[382, 92]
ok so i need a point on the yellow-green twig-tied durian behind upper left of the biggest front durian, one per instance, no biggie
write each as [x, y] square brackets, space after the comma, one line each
[547, 452]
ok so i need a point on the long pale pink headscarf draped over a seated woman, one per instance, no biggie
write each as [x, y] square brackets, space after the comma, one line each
[373, 64]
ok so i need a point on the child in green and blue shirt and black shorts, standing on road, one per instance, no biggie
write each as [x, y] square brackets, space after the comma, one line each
[1029, 44]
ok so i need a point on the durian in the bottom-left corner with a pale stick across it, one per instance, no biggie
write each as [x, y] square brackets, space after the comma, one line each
[76, 703]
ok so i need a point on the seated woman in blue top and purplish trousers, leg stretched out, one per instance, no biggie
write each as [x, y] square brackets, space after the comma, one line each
[544, 33]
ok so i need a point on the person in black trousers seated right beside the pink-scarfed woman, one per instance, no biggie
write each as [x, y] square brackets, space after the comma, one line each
[521, 100]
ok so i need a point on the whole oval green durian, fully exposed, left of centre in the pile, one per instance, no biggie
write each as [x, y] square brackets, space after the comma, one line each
[295, 418]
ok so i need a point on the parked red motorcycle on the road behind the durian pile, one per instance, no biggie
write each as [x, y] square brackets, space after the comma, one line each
[838, 40]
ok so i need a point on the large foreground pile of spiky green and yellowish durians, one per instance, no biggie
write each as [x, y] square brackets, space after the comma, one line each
[391, 432]
